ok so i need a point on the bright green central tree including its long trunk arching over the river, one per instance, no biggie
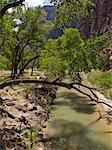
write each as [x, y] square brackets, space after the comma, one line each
[69, 56]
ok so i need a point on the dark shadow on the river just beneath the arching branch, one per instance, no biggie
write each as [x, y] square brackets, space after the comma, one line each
[76, 102]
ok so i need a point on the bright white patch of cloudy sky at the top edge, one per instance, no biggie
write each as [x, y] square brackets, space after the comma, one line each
[34, 3]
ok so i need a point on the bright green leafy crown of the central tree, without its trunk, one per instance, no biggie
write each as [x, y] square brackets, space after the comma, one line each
[70, 54]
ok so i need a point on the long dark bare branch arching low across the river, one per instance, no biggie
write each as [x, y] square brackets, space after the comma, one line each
[65, 85]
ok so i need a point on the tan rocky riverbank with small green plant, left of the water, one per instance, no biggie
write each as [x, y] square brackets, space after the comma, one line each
[24, 112]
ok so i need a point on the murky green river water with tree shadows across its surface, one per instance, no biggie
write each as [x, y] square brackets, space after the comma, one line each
[74, 125]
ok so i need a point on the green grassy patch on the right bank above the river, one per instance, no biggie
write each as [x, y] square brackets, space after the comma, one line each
[103, 80]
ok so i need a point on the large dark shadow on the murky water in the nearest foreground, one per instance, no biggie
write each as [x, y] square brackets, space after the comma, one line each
[72, 136]
